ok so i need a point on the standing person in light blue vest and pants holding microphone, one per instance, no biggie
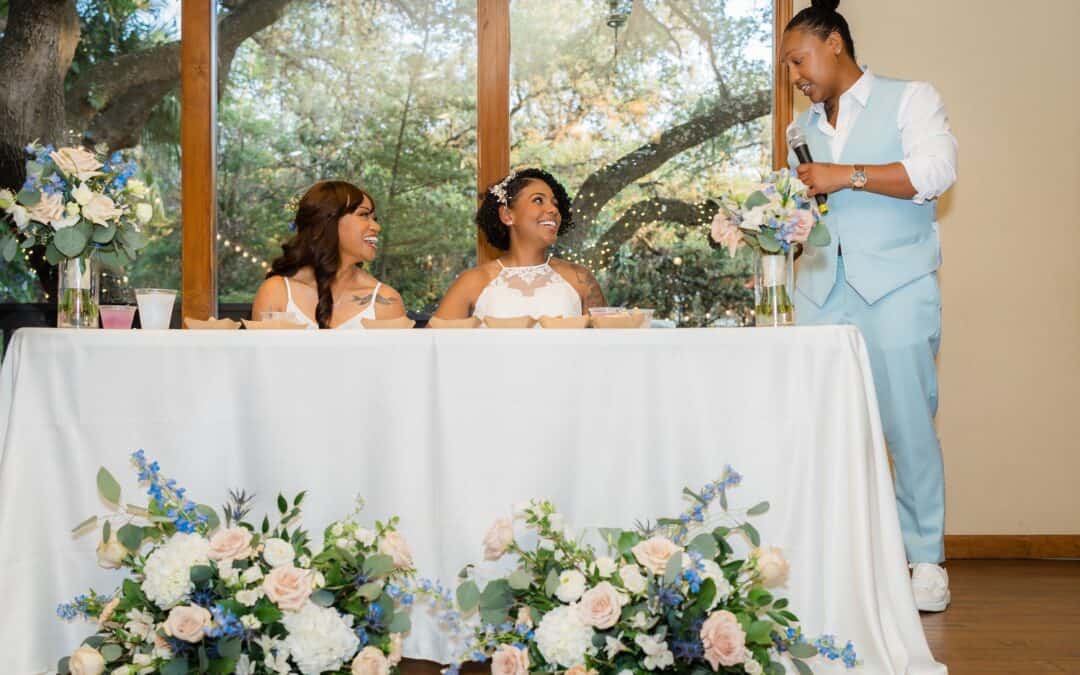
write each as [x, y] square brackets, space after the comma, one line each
[883, 154]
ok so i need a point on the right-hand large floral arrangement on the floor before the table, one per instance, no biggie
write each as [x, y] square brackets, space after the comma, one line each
[661, 602]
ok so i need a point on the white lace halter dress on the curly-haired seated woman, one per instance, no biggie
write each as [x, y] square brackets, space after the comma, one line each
[533, 291]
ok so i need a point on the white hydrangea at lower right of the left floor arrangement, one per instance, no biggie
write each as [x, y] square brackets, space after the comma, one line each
[319, 641]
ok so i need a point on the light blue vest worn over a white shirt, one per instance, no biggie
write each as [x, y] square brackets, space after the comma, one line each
[887, 242]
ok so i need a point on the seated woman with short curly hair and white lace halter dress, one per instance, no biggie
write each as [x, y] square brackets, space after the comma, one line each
[523, 215]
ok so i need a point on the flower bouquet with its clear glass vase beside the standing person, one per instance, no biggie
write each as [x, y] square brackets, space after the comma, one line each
[775, 220]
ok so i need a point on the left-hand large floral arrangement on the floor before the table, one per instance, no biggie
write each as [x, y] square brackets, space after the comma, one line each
[239, 599]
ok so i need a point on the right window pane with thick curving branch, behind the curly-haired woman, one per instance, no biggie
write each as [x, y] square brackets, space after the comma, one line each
[644, 125]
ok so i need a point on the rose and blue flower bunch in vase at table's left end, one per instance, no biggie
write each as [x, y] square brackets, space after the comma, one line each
[77, 204]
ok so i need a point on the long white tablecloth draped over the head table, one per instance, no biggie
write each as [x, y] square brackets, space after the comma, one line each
[449, 429]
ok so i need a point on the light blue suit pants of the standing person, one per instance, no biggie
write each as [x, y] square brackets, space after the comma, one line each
[902, 333]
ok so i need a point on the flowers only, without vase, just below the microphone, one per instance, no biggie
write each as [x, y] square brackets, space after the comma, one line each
[775, 217]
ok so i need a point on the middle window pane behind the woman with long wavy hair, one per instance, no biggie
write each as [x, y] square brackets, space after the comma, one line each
[381, 94]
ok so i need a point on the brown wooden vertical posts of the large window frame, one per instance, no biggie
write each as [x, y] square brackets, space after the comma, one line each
[199, 131]
